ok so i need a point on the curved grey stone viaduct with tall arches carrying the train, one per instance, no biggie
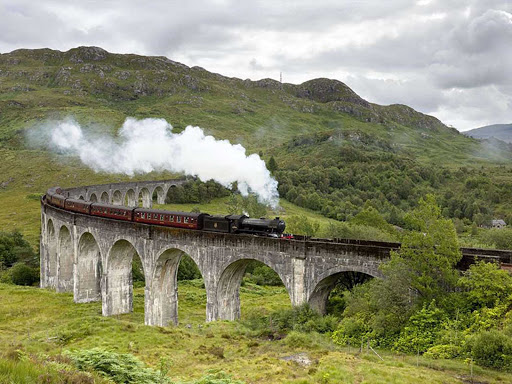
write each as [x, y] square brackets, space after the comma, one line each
[92, 257]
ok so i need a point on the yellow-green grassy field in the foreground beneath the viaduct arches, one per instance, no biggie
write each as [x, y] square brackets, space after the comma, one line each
[43, 323]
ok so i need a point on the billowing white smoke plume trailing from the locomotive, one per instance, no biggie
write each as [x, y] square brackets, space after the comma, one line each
[150, 145]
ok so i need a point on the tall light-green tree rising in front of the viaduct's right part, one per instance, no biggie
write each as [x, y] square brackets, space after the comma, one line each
[423, 270]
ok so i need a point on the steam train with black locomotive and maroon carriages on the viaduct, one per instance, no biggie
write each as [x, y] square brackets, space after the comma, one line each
[188, 220]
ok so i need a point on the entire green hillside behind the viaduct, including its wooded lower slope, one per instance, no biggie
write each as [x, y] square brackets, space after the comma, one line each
[334, 151]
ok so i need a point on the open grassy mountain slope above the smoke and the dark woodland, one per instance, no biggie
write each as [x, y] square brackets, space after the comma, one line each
[98, 87]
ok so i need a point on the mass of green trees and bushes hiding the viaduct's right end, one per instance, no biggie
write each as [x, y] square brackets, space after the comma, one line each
[424, 306]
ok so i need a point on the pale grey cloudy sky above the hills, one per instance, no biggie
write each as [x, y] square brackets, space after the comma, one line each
[448, 58]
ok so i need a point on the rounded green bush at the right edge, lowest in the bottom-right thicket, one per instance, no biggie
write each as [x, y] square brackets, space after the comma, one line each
[492, 349]
